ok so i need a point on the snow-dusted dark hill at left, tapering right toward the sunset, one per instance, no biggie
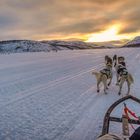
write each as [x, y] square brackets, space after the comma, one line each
[47, 46]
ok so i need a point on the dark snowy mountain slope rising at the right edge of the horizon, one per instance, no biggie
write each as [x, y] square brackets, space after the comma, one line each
[133, 43]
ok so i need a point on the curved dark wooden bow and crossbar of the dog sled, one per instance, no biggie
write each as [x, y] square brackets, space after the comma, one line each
[108, 118]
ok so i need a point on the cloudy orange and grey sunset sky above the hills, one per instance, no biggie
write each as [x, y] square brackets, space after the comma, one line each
[86, 20]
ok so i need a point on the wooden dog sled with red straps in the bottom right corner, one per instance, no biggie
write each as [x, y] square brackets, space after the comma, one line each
[125, 119]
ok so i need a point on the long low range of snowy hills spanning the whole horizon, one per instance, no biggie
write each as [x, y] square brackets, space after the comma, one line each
[13, 46]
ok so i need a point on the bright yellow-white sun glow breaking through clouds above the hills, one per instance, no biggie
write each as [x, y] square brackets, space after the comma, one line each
[110, 34]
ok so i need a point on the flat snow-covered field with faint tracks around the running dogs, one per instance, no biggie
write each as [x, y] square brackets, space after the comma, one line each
[52, 96]
